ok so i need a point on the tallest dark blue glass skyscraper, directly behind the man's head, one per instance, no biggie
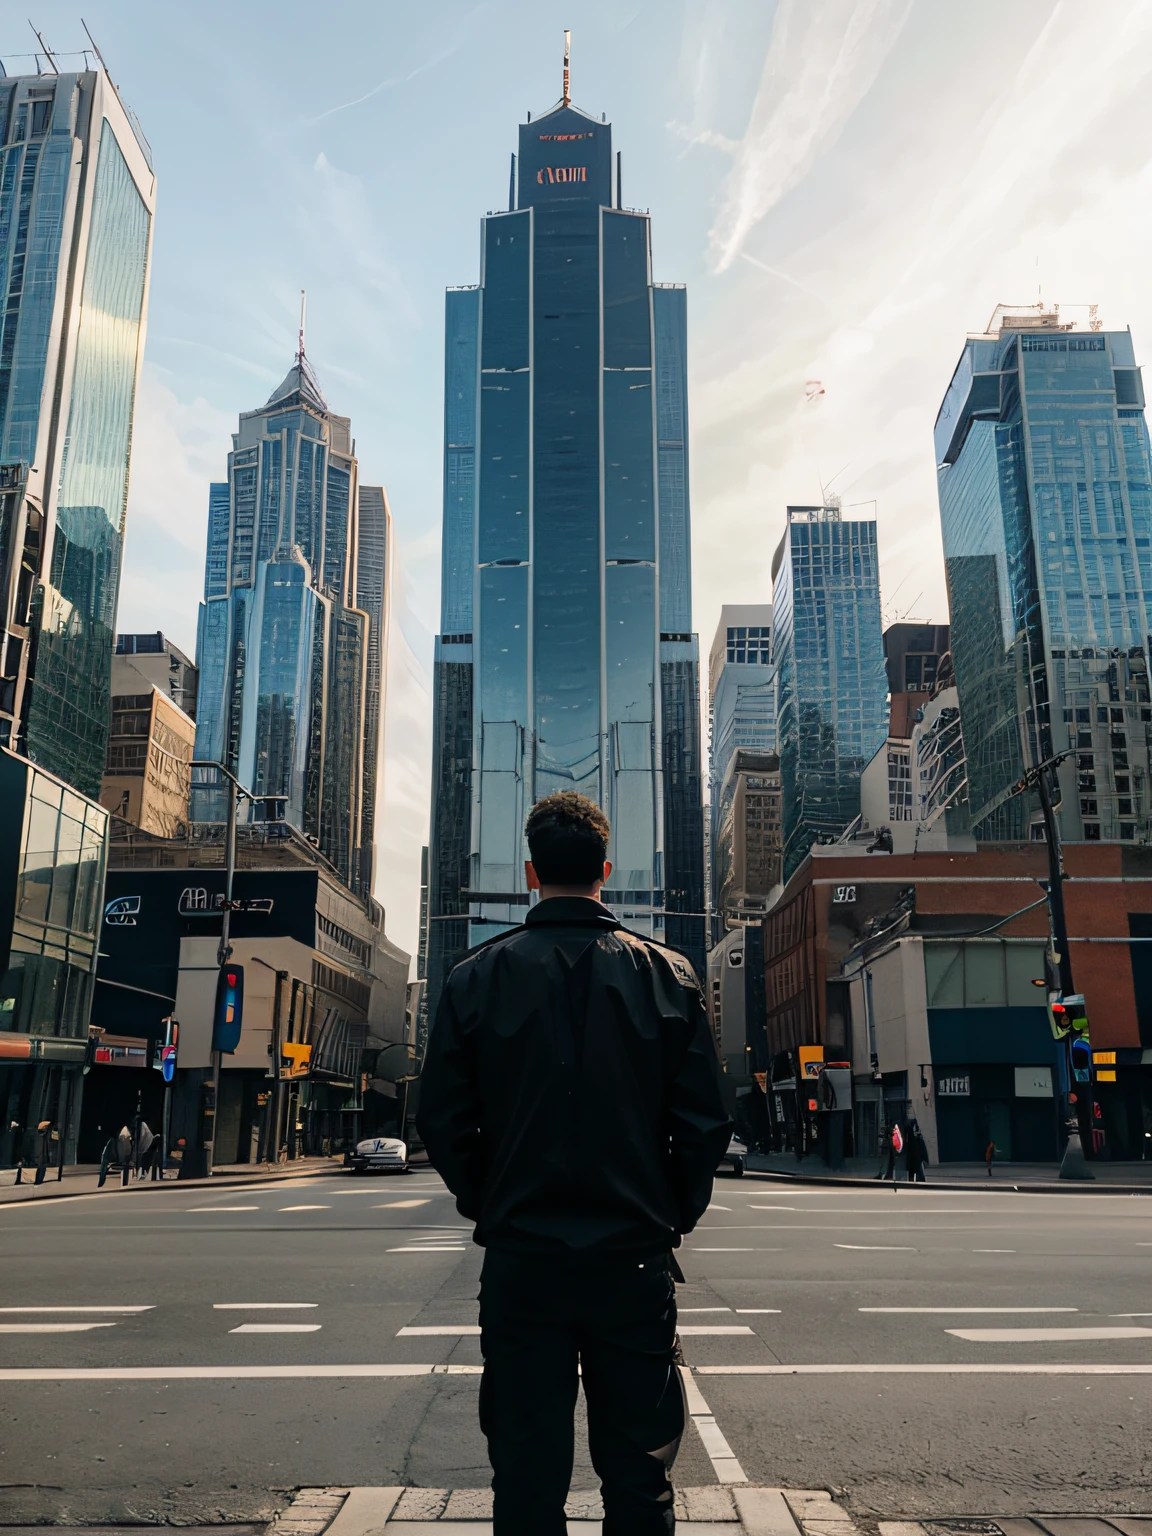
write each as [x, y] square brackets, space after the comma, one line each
[566, 658]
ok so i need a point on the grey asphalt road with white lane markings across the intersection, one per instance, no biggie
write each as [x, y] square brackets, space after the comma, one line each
[927, 1352]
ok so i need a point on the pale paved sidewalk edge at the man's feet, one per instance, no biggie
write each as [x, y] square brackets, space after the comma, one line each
[700, 1512]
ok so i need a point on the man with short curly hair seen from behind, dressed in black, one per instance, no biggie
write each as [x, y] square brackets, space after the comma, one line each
[572, 1102]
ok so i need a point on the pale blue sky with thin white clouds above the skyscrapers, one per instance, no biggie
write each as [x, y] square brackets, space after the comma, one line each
[847, 187]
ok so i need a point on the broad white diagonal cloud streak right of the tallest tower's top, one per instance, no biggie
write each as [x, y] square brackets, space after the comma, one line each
[821, 64]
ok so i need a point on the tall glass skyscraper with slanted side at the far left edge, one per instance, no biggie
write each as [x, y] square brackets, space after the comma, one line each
[76, 230]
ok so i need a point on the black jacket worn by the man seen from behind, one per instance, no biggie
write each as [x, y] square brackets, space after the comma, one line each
[571, 1096]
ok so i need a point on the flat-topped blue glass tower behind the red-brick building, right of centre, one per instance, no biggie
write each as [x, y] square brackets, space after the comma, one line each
[832, 681]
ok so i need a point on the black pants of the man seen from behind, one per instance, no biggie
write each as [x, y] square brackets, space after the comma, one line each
[540, 1316]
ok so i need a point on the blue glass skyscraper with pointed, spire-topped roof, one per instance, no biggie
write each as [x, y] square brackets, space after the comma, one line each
[291, 641]
